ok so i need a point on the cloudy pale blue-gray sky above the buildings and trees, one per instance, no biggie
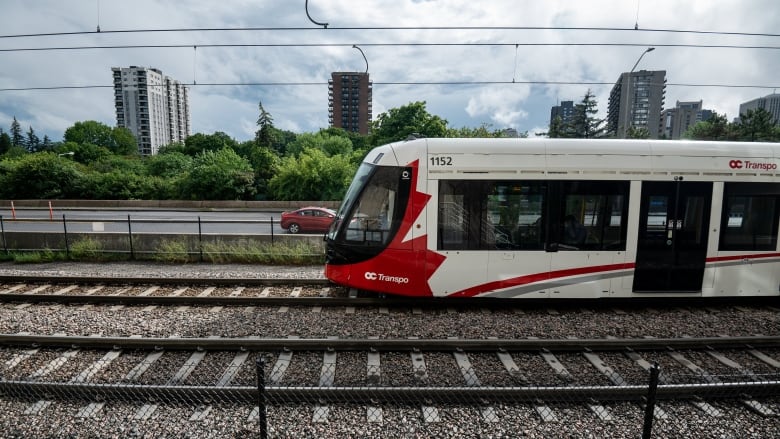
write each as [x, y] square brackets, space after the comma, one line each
[460, 56]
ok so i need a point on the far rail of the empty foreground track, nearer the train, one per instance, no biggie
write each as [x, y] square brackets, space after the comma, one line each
[390, 345]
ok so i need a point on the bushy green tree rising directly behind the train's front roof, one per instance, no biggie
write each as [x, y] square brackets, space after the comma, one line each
[399, 123]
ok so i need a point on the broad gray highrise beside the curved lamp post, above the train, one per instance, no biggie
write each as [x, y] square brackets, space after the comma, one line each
[636, 100]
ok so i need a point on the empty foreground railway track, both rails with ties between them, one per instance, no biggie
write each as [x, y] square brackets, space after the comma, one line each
[94, 373]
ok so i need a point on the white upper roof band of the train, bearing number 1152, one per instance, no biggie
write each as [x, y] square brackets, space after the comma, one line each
[591, 156]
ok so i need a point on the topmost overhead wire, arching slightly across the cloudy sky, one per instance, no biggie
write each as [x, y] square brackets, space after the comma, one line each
[397, 28]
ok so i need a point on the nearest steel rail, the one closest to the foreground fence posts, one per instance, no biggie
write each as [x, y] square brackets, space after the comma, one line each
[381, 394]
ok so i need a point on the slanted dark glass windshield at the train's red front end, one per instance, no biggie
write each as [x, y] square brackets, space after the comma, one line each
[373, 206]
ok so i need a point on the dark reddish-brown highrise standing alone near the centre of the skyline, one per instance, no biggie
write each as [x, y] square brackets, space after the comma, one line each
[349, 101]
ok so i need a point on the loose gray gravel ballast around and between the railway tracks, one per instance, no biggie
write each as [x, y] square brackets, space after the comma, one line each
[522, 420]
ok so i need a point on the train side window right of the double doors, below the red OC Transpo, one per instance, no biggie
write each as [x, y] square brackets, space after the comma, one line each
[750, 216]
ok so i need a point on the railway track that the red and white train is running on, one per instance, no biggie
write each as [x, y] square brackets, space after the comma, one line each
[280, 292]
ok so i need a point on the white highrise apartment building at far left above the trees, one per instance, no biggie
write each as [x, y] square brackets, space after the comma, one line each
[154, 107]
